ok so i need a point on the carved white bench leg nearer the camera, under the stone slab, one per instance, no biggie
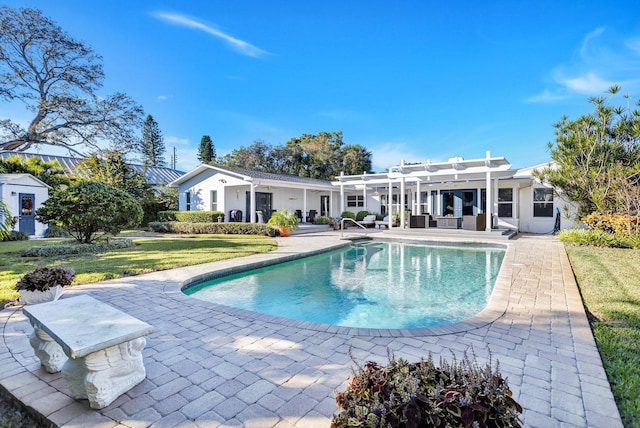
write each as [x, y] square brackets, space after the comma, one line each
[103, 376]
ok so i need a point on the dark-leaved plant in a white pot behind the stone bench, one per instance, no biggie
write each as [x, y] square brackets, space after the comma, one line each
[44, 284]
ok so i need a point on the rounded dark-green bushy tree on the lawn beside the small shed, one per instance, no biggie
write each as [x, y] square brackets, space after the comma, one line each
[90, 210]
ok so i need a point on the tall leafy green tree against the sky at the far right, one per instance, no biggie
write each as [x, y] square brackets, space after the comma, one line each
[597, 158]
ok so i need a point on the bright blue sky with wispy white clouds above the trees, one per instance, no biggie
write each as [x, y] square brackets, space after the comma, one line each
[413, 80]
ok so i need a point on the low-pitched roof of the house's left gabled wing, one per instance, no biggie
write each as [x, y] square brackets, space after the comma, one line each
[254, 176]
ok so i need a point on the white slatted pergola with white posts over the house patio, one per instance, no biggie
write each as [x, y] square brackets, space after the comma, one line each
[488, 169]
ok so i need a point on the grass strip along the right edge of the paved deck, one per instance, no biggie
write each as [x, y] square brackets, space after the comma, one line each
[609, 281]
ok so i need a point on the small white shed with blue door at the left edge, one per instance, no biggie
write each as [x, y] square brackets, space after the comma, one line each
[24, 194]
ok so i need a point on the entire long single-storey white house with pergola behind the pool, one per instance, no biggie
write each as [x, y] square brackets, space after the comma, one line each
[437, 194]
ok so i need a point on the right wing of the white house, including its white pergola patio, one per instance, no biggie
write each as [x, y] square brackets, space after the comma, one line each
[478, 194]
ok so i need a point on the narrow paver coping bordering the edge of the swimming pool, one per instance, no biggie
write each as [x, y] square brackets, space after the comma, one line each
[495, 308]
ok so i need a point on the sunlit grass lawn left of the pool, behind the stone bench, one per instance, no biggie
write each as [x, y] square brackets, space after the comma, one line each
[148, 255]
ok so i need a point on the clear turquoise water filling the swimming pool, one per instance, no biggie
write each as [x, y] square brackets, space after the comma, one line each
[373, 285]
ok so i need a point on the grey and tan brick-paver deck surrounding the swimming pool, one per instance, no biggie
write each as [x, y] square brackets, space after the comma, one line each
[210, 365]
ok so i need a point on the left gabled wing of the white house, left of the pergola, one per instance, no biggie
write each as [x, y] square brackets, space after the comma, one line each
[237, 192]
